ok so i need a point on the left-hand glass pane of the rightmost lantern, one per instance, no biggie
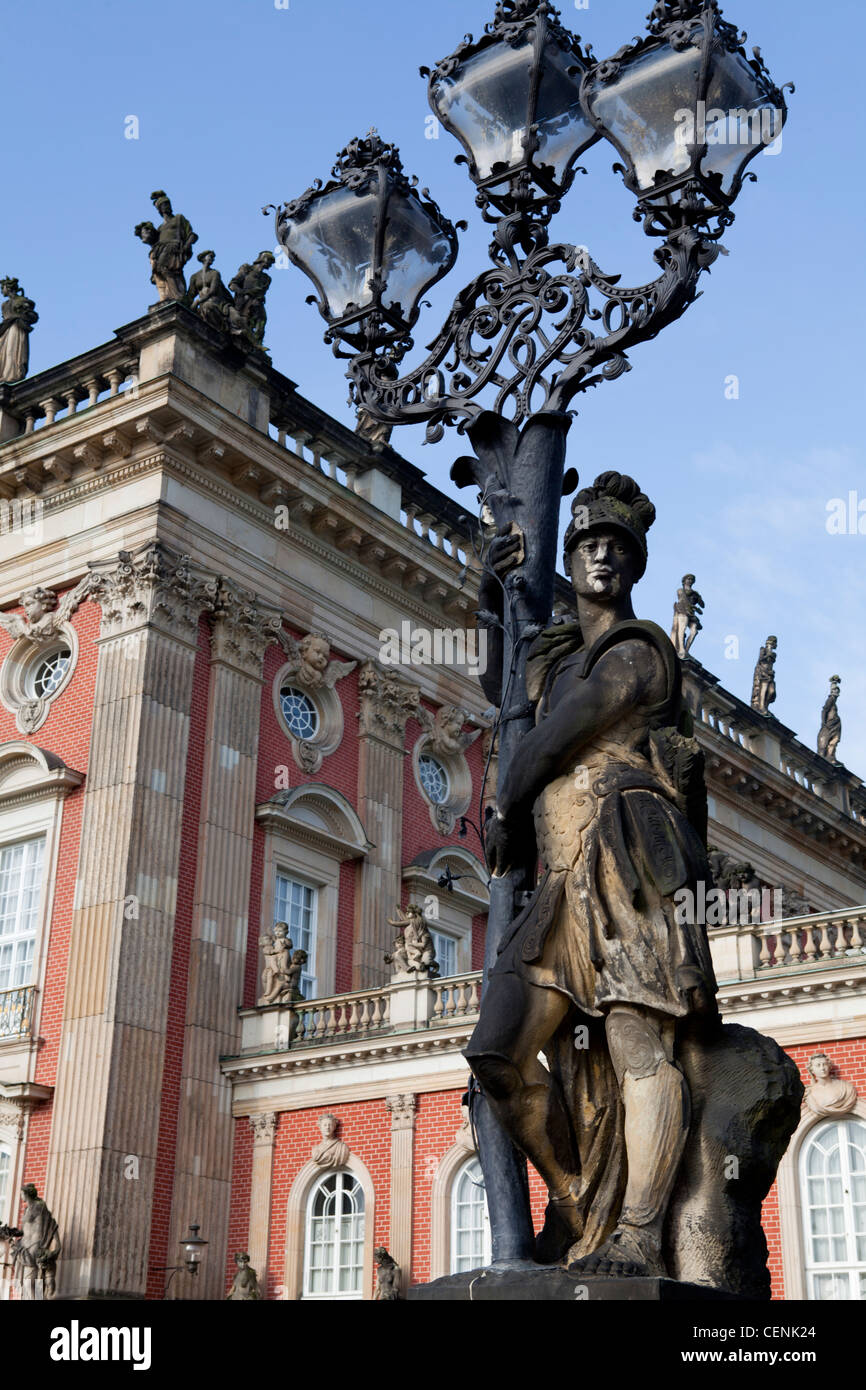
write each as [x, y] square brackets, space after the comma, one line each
[650, 112]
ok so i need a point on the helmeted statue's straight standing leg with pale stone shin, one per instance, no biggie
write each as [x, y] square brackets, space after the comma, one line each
[657, 1104]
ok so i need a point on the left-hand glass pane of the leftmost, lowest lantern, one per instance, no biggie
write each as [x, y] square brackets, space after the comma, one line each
[334, 245]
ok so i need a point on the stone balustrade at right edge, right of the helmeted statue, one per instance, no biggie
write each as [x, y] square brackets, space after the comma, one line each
[792, 946]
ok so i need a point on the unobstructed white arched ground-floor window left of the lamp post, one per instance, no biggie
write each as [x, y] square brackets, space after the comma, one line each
[334, 1249]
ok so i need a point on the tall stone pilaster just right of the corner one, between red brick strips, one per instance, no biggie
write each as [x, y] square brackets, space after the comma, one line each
[243, 632]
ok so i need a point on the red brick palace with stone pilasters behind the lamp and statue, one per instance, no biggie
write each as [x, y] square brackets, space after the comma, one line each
[202, 735]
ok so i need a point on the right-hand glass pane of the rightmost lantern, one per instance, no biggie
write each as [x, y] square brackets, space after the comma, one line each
[740, 120]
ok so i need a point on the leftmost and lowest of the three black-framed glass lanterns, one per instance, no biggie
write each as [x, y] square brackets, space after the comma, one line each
[369, 241]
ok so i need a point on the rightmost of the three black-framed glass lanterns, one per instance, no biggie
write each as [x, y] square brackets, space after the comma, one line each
[686, 108]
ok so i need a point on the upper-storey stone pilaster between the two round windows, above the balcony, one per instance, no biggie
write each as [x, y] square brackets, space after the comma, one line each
[389, 701]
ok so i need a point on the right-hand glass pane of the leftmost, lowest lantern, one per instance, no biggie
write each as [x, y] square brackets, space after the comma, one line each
[415, 255]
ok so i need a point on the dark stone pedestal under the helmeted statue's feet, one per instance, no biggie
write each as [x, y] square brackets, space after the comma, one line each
[553, 1284]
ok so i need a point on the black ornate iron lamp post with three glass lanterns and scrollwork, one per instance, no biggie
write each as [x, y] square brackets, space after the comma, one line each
[687, 111]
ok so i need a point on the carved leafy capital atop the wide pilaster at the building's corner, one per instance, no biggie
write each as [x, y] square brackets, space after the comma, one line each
[154, 586]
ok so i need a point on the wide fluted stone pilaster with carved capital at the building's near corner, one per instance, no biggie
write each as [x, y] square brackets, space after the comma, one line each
[105, 1128]
